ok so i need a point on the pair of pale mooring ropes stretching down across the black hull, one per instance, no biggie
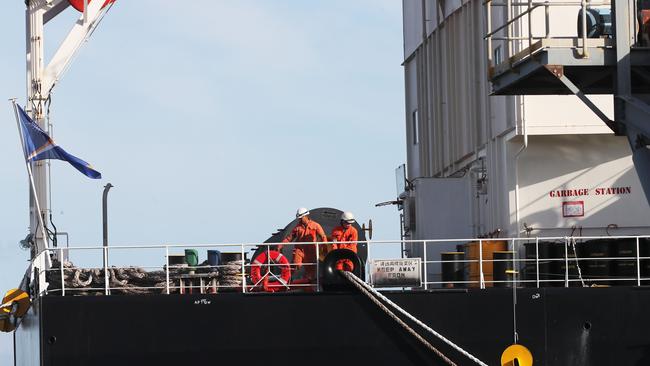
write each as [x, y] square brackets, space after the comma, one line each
[369, 291]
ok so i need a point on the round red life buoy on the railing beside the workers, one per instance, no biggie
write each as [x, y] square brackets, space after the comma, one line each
[270, 282]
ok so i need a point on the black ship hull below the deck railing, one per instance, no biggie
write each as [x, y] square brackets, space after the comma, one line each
[561, 326]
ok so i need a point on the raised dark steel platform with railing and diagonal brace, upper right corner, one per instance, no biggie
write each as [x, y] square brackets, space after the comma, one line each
[610, 54]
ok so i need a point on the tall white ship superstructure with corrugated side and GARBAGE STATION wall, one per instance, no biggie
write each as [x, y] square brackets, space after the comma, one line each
[479, 165]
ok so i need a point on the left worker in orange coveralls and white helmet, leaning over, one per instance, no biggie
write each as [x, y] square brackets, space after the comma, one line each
[306, 231]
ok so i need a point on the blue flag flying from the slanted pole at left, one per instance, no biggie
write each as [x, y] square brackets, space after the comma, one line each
[39, 146]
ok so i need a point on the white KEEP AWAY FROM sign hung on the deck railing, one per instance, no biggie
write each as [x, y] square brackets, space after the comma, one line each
[396, 272]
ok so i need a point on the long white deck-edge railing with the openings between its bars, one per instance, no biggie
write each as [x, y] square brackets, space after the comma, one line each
[528, 262]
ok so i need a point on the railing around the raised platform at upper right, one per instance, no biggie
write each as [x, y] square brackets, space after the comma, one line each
[518, 11]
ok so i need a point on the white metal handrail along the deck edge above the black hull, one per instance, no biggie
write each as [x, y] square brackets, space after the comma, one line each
[375, 252]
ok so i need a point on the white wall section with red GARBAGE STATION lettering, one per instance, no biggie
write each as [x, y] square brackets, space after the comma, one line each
[589, 164]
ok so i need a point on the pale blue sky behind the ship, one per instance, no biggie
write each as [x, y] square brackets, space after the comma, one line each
[214, 120]
